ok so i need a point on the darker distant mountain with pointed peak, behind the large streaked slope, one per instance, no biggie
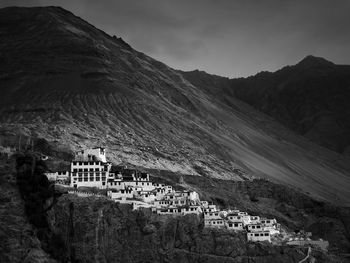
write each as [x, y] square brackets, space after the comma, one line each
[310, 98]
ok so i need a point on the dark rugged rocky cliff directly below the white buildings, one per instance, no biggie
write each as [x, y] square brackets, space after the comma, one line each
[98, 230]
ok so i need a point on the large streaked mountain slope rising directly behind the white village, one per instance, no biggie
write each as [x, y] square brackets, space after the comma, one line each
[63, 80]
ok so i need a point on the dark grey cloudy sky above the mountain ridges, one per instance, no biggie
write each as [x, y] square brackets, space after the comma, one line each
[224, 37]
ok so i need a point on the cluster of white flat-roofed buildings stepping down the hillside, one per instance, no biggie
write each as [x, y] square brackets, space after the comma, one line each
[90, 168]
